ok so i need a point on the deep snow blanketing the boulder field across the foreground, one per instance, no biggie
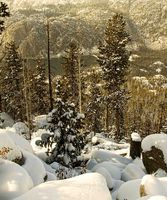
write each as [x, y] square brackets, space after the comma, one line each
[109, 174]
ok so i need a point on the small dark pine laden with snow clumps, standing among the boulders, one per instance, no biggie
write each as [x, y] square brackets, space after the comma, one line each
[66, 123]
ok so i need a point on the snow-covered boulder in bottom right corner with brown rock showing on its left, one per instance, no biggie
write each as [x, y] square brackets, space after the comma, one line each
[151, 185]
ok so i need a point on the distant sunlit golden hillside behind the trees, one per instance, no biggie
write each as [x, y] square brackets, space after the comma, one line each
[85, 20]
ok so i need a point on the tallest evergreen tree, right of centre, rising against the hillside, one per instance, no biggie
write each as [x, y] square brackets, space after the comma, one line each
[113, 59]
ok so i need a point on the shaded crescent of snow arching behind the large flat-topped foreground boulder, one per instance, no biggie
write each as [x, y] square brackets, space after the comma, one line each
[113, 170]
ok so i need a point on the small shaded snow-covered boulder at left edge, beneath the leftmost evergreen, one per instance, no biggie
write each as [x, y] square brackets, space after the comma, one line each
[5, 120]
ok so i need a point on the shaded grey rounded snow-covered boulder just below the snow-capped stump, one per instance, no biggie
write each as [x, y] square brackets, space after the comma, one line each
[132, 172]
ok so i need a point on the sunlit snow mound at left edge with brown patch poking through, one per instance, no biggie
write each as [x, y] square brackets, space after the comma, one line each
[8, 149]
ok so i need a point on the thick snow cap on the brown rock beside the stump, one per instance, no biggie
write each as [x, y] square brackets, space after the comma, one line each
[157, 140]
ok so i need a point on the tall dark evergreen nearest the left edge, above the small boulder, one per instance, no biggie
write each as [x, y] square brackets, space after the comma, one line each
[12, 82]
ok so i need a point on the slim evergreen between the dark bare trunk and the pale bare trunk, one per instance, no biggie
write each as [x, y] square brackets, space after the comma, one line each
[72, 72]
